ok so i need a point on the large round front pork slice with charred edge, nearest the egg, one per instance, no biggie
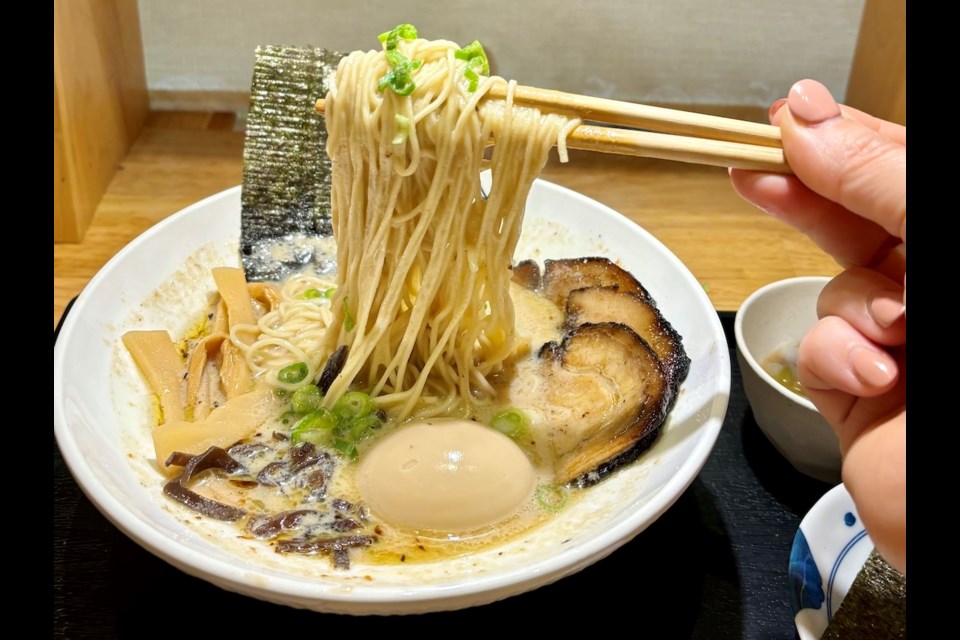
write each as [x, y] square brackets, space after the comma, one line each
[605, 398]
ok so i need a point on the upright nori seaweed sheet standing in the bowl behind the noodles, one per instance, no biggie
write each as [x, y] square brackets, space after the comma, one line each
[286, 171]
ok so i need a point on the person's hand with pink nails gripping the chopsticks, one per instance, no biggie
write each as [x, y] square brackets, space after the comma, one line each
[848, 195]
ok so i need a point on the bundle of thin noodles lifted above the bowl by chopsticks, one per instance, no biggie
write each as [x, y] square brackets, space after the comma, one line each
[422, 297]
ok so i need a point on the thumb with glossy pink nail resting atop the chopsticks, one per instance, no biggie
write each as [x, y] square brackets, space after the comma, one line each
[844, 160]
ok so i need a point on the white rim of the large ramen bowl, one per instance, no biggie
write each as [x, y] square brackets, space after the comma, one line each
[293, 590]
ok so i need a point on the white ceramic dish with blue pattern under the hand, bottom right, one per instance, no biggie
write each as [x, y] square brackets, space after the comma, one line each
[828, 552]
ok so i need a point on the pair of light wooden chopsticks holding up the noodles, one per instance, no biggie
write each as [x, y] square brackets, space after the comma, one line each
[667, 134]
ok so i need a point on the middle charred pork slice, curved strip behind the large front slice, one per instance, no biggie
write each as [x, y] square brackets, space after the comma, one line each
[609, 304]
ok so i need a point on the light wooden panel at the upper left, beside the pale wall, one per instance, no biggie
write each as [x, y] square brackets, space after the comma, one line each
[100, 104]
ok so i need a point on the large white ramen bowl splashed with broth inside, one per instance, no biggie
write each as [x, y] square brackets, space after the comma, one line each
[160, 280]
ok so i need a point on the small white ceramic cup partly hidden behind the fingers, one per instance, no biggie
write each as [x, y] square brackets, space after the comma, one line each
[777, 314]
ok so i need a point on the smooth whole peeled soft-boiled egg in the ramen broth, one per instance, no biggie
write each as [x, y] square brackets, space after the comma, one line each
[445, 475]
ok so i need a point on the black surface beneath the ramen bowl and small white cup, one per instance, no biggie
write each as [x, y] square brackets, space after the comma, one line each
[713, 566]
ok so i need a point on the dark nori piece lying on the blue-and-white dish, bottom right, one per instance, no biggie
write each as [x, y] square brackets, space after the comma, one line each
[875, 607]
